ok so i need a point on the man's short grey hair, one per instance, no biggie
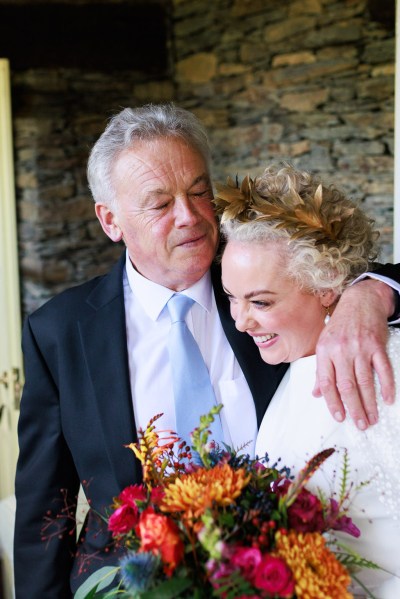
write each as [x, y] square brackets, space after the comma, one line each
[147, 122]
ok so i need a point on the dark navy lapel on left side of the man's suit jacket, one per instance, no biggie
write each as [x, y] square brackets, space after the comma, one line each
[103, 336]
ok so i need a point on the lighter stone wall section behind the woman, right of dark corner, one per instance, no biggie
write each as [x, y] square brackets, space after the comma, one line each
[309, 81]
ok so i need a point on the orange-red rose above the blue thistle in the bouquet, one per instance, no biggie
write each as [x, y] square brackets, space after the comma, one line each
[160, 535]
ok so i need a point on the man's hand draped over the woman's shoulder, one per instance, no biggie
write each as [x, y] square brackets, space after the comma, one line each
[351, 347]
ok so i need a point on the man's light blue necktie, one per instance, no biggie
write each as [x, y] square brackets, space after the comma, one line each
[193, 392]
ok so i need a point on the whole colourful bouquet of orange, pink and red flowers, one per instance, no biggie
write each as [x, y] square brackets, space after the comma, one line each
[209, 522]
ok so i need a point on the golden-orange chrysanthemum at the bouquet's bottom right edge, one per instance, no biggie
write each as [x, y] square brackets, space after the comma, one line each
[317, 573]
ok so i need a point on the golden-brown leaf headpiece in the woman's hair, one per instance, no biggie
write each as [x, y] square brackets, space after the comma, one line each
[305, 216]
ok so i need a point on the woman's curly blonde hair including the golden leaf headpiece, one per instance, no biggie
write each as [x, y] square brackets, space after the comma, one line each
[329, 241]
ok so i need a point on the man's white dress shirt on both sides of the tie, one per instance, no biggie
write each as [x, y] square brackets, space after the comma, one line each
[148, 324]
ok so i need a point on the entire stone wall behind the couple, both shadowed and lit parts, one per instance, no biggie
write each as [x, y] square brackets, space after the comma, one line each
[310, 82]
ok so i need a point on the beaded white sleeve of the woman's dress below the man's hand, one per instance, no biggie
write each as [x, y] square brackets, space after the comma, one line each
[380, 444]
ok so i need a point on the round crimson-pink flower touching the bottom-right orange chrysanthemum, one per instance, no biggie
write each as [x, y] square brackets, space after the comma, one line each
[274, 576]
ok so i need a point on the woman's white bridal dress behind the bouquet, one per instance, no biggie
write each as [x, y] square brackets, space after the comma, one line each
[297, 425]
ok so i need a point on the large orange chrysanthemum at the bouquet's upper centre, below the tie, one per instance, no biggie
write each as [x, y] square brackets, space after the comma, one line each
[193, 493]
